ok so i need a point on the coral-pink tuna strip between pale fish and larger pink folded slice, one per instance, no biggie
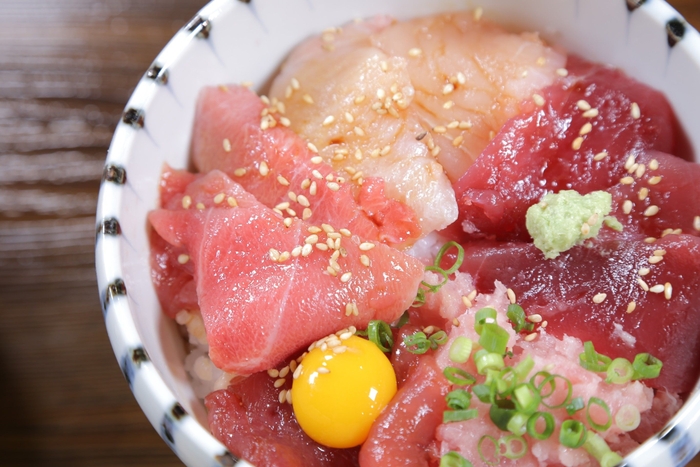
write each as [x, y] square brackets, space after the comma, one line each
[273, 162]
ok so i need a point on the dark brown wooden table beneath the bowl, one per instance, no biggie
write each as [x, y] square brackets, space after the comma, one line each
[66, 71]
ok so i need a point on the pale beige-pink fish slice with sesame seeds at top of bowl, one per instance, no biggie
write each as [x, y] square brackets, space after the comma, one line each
[412, 102]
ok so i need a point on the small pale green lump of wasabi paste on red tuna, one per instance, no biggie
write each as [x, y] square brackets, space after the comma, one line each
[565, 219]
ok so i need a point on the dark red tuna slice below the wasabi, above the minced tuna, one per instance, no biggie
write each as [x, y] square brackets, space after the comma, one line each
[562, 291]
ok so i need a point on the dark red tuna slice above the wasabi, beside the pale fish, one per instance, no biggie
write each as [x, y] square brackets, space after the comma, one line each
[533, 154]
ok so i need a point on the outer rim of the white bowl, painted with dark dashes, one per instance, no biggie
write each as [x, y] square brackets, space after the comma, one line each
[191, 441]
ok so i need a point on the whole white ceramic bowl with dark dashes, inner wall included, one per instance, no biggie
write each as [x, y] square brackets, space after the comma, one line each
[245, 40]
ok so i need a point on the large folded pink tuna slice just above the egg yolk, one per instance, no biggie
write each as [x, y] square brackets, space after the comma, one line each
[266, 289]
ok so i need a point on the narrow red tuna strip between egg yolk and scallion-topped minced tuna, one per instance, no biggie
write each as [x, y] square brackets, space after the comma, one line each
[406, 428]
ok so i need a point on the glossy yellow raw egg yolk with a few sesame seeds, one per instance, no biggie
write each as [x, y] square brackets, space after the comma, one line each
[341, 391]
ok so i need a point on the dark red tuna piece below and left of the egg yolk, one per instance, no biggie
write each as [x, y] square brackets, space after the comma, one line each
[248, 418]
